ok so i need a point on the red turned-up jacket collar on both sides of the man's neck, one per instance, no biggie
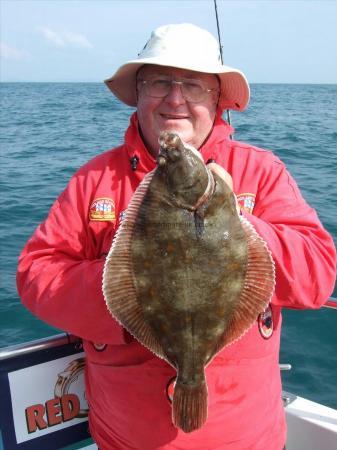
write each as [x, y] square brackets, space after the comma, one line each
[216, 142]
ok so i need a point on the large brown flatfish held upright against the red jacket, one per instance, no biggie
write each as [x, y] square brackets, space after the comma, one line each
[186, 274]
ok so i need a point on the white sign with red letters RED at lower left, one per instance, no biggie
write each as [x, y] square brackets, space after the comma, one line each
[48, 397]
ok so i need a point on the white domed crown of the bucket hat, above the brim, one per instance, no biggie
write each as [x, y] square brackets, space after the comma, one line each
[185, 42]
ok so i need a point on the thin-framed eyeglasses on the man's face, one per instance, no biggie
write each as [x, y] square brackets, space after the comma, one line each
[192, 90]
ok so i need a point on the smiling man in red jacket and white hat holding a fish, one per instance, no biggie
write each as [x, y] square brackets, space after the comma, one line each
[177, 83]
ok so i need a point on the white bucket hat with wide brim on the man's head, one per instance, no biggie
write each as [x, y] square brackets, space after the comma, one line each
[184, 46]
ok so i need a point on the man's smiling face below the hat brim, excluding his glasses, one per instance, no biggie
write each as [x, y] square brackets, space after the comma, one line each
[193, 121]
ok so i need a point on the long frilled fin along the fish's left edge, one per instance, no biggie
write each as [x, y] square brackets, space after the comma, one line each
[118, 278]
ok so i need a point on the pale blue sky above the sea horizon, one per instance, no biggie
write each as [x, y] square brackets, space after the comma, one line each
[65, 40]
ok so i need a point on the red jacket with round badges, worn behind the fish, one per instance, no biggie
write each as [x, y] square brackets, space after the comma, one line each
[60, 276]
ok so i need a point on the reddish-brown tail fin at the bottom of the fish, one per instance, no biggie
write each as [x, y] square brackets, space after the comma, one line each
[189, 406]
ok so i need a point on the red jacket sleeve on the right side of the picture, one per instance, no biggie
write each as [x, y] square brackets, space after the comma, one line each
[303, 251]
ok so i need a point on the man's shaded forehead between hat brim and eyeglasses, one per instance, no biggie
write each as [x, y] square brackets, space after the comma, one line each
[151, 69]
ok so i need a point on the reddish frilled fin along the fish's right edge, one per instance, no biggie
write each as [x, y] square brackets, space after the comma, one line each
[258, 287]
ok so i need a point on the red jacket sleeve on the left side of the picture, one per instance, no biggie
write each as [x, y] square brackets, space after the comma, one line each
[59, 277]
